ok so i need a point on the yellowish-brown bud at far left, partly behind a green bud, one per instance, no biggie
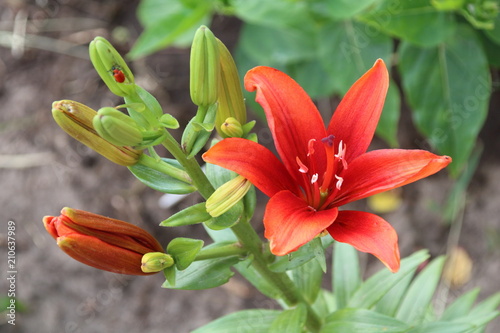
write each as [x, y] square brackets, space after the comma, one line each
[76, 120]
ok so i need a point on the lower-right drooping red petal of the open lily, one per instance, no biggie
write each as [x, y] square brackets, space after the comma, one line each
[367, 233]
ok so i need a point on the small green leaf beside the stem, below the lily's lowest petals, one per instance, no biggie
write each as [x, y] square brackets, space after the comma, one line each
[308, 279]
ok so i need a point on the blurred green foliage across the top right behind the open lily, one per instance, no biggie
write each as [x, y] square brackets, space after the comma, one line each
[443, 51]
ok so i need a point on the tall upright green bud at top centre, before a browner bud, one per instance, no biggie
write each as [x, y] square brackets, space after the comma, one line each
[204, 68]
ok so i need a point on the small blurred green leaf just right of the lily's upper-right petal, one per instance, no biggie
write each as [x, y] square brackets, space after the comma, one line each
[388, 124]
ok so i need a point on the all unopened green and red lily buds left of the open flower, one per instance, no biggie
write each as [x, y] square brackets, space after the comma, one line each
[121, 137]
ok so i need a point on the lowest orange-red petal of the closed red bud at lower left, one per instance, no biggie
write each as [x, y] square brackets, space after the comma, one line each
[96, 253]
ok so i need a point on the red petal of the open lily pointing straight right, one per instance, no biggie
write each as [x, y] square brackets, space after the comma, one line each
[381, 170]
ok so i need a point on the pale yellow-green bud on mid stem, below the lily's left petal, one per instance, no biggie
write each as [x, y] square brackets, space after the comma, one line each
[227, 196]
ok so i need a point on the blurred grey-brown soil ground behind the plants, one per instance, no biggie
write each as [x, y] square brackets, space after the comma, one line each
[43, 170]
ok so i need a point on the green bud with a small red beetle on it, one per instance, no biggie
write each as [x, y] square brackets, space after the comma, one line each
[111, 67]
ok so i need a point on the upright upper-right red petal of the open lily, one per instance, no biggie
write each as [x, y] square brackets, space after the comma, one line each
[357, 115]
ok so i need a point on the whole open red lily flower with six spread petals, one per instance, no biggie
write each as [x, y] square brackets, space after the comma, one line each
[322, 168]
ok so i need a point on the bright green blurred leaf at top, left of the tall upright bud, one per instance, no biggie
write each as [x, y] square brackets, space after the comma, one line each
[167, 24]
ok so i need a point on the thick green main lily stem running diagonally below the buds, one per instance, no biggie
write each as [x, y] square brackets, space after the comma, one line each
[247, 237]
